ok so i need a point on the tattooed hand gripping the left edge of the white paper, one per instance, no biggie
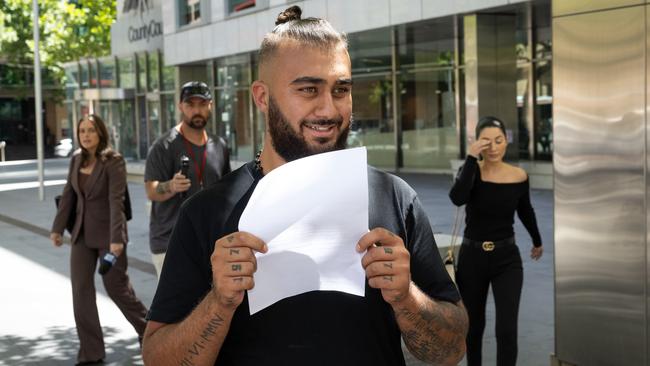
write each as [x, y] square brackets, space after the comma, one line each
[233, 264]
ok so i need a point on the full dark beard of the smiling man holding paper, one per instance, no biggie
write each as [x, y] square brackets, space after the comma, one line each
[291, 145]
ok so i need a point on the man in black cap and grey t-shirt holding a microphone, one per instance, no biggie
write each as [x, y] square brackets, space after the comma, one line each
[180, 163]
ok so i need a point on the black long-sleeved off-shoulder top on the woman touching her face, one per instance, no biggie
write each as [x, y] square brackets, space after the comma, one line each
[490, 209]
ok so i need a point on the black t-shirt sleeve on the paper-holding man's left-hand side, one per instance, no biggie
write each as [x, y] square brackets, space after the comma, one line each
[182, 284]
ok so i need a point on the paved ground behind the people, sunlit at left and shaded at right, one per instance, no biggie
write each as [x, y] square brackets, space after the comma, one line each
[36, 322]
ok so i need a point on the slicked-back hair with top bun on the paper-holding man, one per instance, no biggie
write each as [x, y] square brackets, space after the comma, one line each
[314, 32]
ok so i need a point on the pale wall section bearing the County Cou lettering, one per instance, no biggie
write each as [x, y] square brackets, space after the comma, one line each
[139, 28]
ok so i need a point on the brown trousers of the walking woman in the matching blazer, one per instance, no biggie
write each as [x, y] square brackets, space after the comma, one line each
[83, 263]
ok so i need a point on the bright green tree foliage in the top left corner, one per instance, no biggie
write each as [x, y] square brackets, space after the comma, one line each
[68, 31]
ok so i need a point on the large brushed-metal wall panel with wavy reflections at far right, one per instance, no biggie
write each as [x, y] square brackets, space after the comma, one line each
[600, 212]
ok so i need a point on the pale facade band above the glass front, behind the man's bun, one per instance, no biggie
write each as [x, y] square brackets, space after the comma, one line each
[240, 34]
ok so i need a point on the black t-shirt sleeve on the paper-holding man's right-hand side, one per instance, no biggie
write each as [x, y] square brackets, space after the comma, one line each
[427, 270]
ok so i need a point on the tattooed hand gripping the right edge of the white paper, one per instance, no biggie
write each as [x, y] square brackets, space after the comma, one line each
[387, 264]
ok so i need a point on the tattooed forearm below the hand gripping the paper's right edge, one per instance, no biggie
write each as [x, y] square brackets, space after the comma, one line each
[435, 332]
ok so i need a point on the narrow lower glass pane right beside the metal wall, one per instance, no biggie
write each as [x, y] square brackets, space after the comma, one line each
[543, 111]
